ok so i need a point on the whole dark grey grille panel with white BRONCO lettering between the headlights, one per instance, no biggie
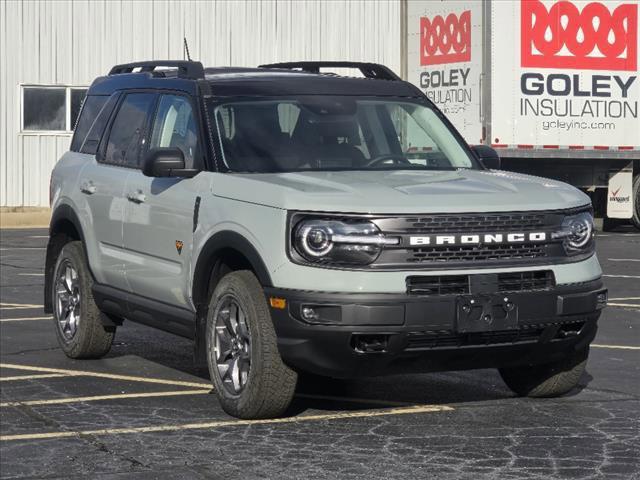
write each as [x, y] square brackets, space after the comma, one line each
[442, 240]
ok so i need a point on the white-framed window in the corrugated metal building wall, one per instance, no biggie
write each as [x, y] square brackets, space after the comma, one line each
[51, 108]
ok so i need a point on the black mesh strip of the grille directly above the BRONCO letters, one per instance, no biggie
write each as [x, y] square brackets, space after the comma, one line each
[472, 223]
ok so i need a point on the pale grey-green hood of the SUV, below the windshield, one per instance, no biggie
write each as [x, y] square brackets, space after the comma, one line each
[400, 191]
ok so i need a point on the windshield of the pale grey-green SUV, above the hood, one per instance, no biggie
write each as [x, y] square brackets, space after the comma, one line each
[335, 133]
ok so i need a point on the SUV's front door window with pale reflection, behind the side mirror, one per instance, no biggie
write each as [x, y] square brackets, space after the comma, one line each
[175, 126]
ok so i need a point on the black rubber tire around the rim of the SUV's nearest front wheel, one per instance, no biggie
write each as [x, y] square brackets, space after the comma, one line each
[270, 384]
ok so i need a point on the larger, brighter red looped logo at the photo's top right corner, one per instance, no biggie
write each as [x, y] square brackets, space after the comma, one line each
[594, 38]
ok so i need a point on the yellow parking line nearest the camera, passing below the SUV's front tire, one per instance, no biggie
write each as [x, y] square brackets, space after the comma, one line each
[232, 423]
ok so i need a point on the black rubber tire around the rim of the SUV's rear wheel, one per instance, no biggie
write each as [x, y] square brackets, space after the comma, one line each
[92, 339]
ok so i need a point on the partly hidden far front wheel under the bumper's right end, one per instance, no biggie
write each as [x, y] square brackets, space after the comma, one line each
[548, 380]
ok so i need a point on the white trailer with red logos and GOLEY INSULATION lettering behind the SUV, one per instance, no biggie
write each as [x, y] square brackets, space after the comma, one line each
[552, 85]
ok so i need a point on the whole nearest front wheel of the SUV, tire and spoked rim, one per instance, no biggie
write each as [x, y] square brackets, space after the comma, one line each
[248, 375]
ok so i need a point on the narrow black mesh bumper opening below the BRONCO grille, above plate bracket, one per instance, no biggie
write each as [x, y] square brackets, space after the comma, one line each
[461, 284]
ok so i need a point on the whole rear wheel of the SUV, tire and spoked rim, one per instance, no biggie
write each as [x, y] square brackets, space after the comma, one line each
[78, 321]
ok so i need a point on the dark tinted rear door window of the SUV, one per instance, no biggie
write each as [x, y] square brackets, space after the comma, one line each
[128, 131]
